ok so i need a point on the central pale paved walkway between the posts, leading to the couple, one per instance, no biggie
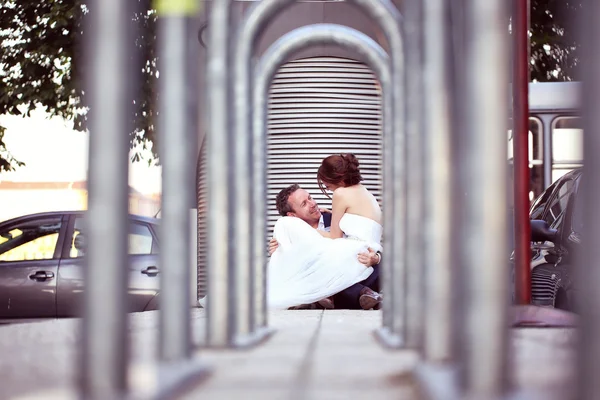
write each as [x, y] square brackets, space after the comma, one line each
[313, 355]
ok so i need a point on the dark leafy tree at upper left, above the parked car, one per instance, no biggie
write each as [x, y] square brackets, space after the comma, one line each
[41, 62]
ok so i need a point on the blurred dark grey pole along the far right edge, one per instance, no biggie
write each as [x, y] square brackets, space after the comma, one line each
[588, 273]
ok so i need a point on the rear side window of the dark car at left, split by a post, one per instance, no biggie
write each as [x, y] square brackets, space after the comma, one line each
[141, 240]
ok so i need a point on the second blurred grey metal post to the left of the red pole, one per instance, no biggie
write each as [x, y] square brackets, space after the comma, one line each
[438, 174]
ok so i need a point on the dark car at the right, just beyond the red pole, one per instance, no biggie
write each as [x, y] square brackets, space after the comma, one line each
[556, 222]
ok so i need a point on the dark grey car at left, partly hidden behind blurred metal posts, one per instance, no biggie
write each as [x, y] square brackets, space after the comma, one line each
[41, 265]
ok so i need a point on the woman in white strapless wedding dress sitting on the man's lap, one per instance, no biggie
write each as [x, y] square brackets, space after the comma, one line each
[311, 265]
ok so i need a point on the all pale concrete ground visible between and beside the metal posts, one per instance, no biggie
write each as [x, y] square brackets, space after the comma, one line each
[313, 355]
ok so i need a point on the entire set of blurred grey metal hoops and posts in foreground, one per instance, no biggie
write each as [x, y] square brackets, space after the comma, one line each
[451, 302]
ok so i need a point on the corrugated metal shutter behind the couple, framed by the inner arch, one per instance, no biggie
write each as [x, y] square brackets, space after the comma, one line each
[318, 107]
